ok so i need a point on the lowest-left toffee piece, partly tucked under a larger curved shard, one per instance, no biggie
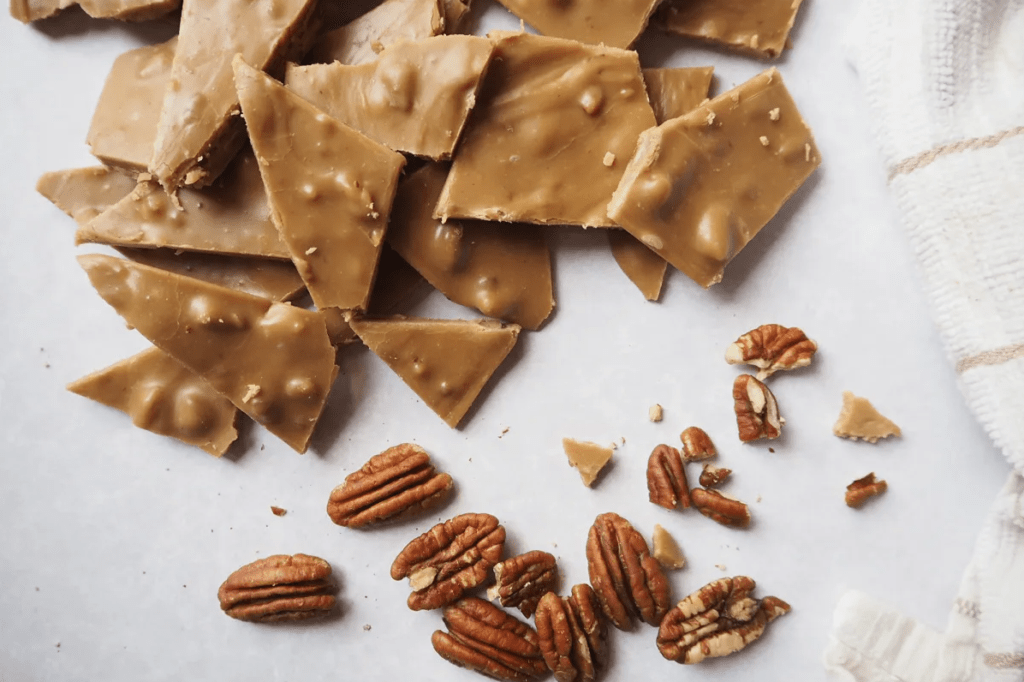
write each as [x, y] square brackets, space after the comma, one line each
[162, 397]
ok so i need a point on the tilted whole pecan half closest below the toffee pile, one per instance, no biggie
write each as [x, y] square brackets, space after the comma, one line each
[398, 481]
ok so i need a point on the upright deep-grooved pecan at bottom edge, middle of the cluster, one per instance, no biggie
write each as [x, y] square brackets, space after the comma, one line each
[572, 634]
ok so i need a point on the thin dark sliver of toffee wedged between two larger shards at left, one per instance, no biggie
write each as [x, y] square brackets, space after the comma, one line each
[268, 278]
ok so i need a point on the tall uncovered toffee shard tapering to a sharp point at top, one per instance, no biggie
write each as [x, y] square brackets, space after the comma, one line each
[330, 188]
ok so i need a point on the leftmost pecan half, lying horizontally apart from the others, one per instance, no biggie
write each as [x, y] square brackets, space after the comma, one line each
[279, 588]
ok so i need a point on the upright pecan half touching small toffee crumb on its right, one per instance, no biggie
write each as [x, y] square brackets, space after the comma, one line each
[627, 580]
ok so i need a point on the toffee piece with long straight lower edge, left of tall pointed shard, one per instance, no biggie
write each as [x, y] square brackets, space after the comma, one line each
[232, 217]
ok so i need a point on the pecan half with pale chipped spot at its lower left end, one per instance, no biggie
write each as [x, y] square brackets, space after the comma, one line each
[450, 560]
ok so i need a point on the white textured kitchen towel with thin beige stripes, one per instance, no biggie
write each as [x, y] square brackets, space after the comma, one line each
[945, 82]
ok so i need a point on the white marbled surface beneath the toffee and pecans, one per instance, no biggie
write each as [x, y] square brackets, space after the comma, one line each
[115, 541]
